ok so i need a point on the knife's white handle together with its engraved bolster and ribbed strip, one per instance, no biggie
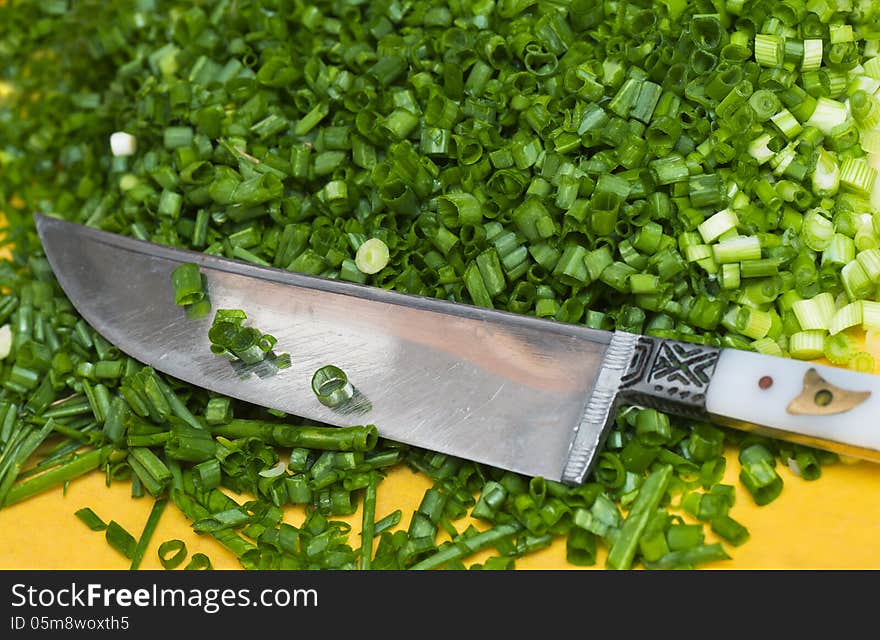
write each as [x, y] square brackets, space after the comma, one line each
[817, 405]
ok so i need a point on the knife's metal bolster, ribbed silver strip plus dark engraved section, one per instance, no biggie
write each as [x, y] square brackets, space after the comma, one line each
[666, 375]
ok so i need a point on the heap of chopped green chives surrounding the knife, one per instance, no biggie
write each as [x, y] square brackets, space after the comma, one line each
[699, 171]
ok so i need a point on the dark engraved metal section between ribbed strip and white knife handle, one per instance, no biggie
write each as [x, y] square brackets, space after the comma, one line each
[670, 376]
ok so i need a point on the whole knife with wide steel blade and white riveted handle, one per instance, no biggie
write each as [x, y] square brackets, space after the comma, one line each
[530, 395]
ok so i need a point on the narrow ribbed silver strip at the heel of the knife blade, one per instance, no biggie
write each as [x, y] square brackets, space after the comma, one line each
[599, 408]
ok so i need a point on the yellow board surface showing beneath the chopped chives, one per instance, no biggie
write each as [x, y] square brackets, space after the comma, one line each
[829, 523]
